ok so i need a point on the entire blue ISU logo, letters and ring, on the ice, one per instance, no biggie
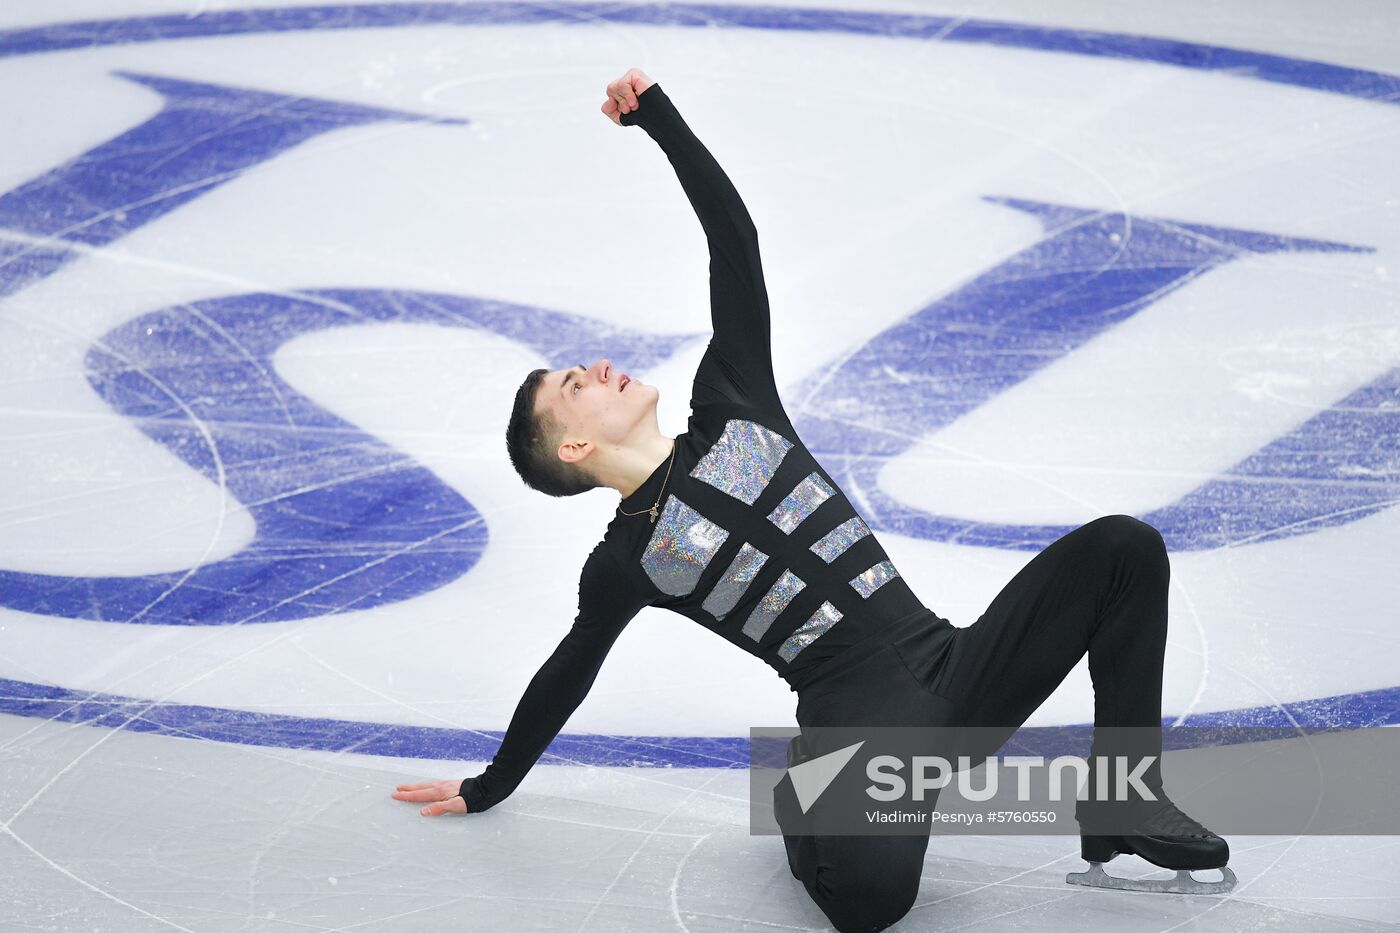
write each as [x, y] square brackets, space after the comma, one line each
[346, 522]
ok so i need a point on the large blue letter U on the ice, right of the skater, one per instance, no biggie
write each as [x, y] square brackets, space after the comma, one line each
[1091, 272]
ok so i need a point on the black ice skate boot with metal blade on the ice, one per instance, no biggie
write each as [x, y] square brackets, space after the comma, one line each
[1161, 834]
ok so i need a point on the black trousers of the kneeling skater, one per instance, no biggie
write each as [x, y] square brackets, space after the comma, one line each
[1100, 589]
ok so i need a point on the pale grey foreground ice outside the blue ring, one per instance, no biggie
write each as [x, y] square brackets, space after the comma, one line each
[213, 837]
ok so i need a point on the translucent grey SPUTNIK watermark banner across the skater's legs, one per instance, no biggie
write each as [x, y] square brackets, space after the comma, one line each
[1034, 781]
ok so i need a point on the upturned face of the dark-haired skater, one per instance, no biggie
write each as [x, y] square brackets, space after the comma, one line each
[596, 406]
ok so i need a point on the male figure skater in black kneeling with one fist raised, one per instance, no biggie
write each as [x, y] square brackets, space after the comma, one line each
[736, 526]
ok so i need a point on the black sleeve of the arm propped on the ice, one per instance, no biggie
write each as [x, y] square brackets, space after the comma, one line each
[607, 604]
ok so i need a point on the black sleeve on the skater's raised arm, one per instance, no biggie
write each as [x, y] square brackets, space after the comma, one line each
[738, 365]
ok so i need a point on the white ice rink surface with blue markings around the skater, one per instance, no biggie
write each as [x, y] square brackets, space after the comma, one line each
[271, 274]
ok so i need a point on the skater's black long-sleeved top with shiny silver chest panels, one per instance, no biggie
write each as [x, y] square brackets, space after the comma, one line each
[754, 539]
